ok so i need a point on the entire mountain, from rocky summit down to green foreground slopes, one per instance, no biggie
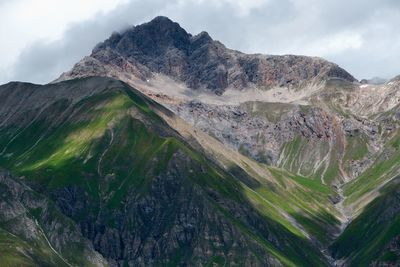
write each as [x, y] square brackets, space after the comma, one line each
[164, 148]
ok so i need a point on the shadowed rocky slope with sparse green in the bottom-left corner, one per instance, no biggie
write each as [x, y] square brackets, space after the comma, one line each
[33, 232]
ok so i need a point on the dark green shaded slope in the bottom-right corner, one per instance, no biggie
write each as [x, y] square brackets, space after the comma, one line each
[373, 236]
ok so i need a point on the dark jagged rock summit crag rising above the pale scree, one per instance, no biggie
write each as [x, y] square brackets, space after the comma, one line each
[162, 46]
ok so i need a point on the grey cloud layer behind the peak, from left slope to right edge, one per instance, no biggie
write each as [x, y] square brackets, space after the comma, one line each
[279, 26]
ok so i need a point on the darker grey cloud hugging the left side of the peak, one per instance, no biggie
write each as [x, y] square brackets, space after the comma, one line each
[43, 62]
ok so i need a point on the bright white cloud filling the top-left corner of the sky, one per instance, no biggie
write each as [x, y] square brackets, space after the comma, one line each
[25, 22]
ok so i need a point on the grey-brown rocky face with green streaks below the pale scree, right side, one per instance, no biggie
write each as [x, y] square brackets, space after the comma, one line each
[328, 137]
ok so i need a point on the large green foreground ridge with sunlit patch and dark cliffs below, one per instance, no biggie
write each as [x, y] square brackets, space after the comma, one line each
[105, 155]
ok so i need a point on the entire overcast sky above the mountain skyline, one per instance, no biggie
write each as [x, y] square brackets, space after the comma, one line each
[42, 38]
